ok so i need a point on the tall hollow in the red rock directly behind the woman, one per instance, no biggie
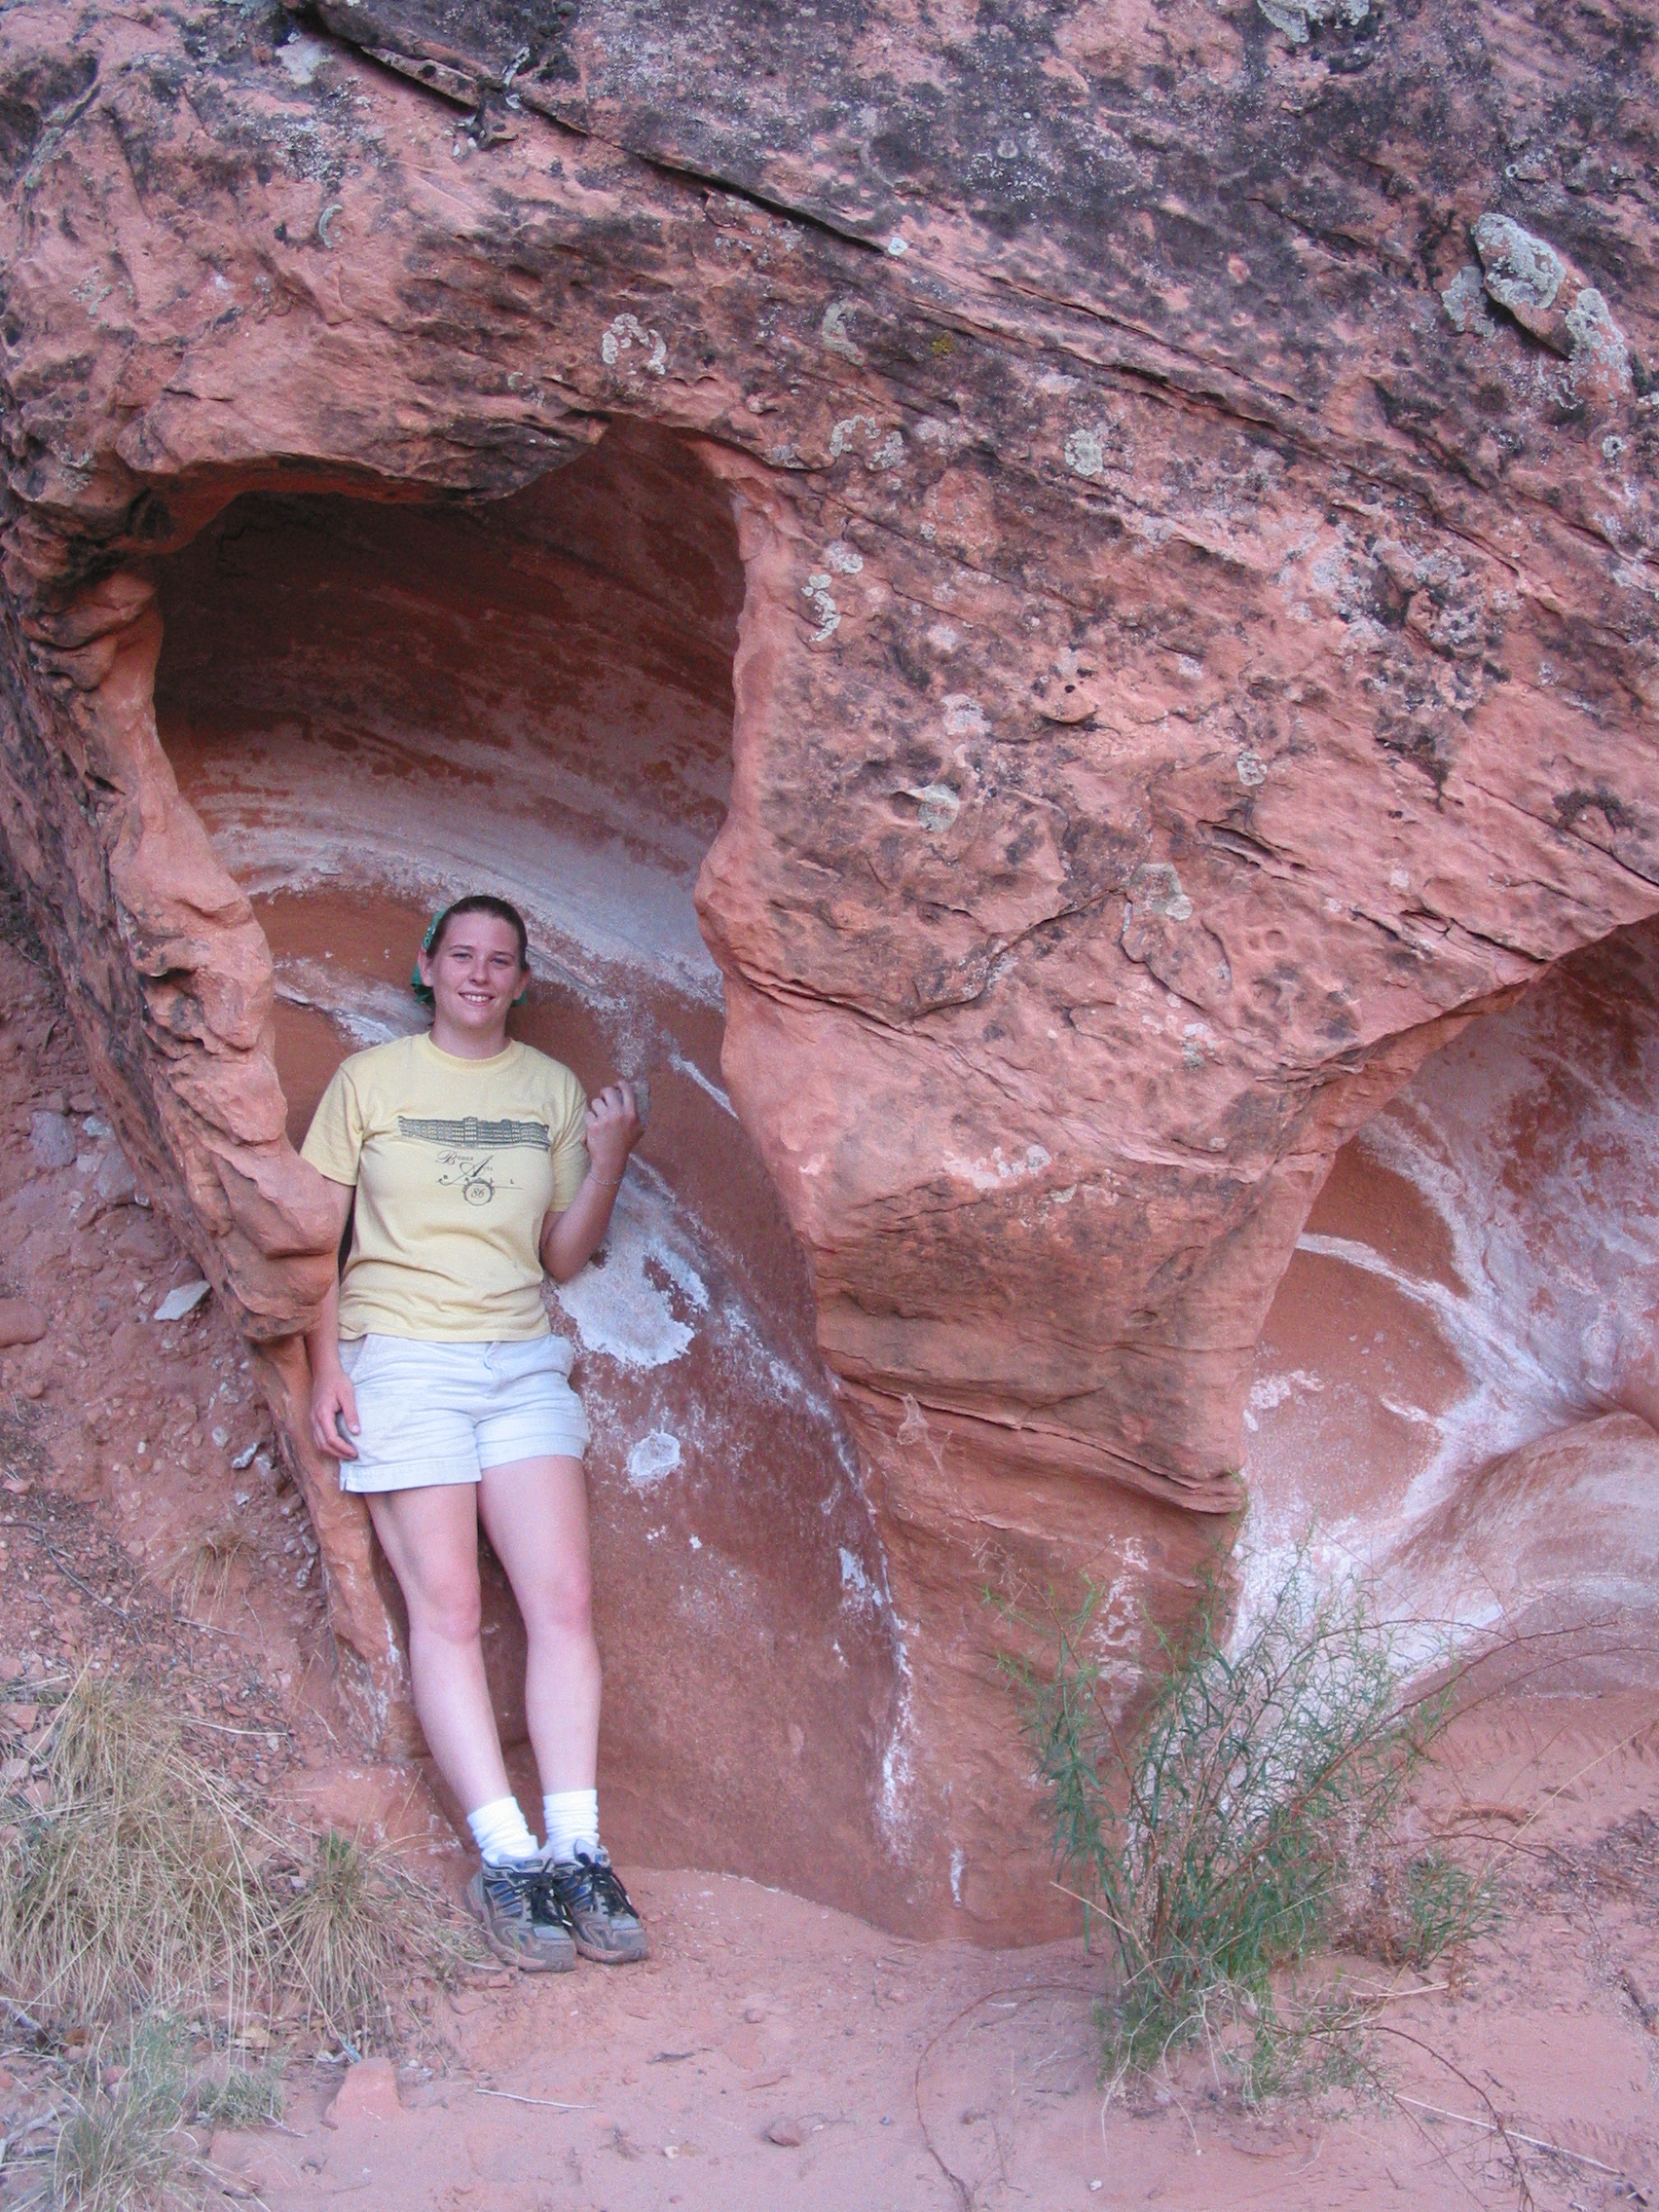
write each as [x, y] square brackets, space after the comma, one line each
[379, 705]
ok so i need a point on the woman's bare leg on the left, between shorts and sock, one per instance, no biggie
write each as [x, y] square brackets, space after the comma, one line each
[430, 1536]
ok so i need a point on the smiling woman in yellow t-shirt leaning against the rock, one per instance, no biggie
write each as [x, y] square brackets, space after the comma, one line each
[472, 1167]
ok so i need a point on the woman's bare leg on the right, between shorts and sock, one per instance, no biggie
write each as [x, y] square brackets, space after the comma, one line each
[536, 1514]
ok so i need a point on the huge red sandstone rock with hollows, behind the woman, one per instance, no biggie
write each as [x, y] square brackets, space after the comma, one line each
[1052, 616]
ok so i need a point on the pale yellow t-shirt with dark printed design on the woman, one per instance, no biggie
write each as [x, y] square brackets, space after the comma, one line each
[457, 1167]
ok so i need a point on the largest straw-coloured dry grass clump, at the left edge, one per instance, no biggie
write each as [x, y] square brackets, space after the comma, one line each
[129, 1879]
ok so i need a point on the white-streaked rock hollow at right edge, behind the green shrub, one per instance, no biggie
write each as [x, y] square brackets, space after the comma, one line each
[1457, 1386]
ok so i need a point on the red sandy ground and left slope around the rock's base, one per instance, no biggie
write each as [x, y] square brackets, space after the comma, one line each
[773, 2054]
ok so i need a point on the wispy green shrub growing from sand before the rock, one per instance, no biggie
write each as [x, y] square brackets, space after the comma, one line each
[1251, 1822]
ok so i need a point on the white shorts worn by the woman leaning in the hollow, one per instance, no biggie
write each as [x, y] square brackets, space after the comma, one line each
[448, 1412]
